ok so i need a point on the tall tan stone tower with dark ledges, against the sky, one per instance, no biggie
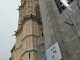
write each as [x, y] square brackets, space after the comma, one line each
[29, 30]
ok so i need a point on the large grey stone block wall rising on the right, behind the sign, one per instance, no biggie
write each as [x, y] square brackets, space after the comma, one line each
[63, 28]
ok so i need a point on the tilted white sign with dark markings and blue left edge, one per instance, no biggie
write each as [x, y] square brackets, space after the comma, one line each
[53, 53]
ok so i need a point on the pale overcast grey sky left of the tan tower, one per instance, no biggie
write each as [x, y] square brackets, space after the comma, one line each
[8, 24]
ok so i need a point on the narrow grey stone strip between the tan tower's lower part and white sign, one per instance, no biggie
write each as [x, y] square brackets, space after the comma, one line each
[41, 48]
